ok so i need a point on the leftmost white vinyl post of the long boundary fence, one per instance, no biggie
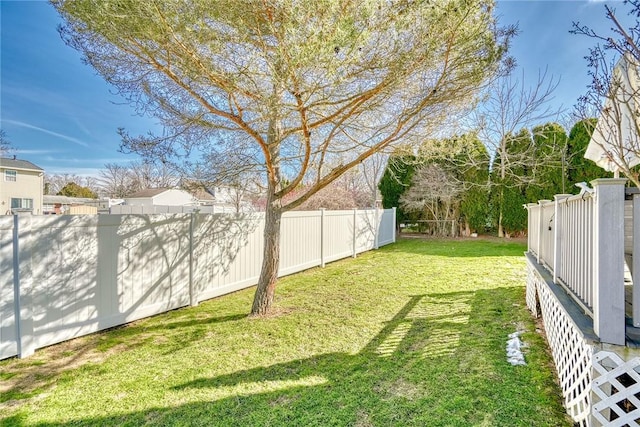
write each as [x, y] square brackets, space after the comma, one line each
[22, 288]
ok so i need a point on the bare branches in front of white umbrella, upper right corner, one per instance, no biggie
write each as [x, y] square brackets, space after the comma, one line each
[614, 93]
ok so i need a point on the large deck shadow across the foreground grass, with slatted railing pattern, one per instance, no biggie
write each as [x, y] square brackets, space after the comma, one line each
[439, 361]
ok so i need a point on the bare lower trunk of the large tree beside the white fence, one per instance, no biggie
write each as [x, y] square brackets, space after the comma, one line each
[271, 260]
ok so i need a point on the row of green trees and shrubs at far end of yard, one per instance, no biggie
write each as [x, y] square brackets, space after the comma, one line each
[457, 179]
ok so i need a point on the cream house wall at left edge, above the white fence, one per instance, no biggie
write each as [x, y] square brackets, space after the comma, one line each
[29, 184]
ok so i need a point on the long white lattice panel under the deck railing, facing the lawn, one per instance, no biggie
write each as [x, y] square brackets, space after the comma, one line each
[571, 354]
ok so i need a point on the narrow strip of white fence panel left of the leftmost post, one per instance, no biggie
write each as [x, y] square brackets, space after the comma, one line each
[8, 339]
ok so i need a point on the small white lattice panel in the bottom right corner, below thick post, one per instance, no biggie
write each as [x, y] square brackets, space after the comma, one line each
[616, 390]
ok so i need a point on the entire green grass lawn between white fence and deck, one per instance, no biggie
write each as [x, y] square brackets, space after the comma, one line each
[413, 334]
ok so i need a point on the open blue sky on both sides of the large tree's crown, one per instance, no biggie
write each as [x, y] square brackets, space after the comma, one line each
[62, 117]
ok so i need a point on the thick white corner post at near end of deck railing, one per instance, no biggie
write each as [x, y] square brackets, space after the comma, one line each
[608, 260]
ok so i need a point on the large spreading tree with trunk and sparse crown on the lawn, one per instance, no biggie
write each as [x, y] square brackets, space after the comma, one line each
[285, 88]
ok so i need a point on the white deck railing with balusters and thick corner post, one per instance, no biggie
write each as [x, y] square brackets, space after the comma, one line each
[580, 240]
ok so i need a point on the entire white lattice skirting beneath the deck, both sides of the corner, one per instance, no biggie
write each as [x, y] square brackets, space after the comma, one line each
[600, 387]
